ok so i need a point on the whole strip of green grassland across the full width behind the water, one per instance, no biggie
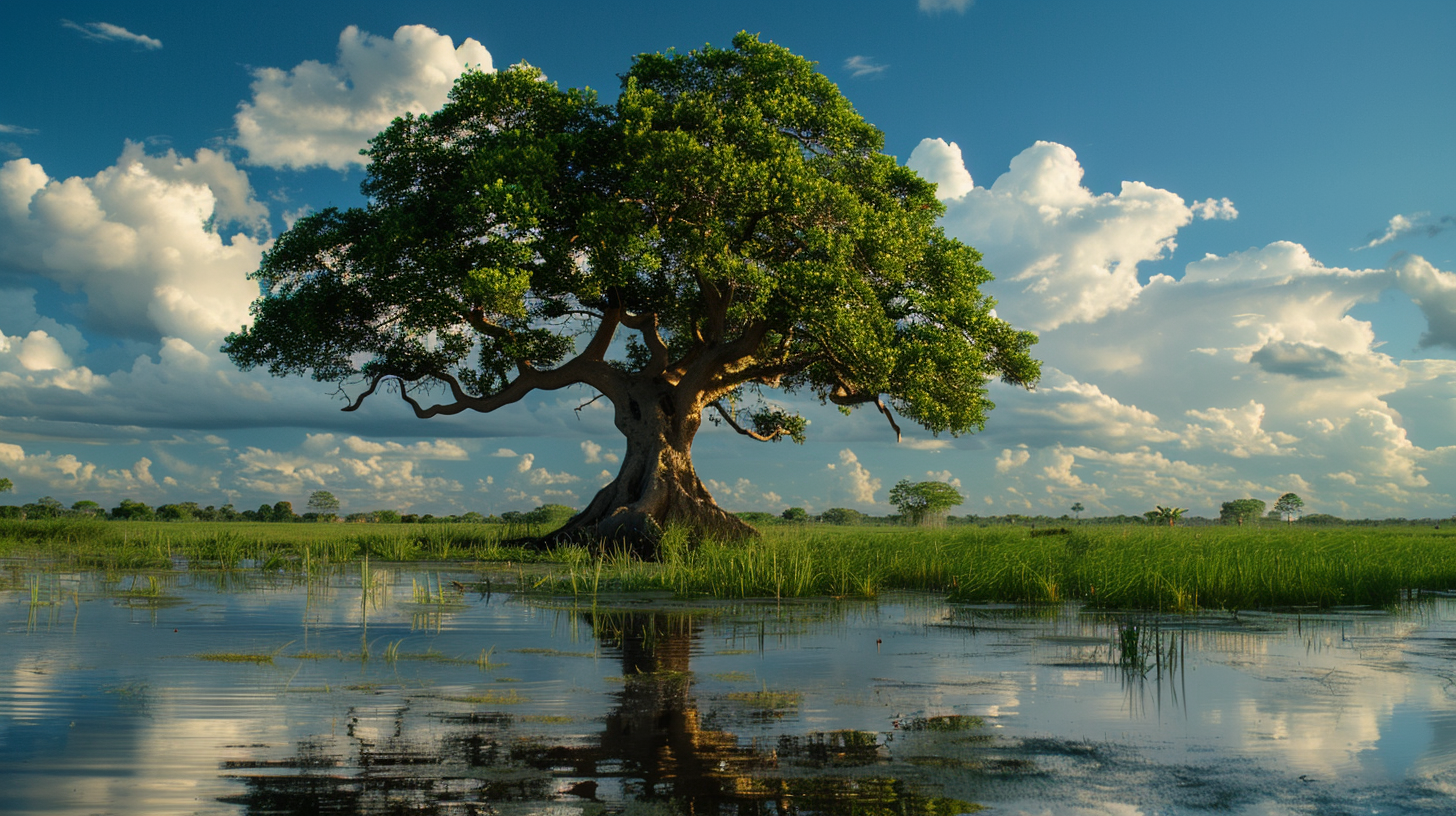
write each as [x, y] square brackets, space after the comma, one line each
[1106, 566]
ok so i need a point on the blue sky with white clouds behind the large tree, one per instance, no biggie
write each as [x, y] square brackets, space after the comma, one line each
[1233, 227]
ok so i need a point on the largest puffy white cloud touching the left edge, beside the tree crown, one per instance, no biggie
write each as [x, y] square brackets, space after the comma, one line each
[141, 241]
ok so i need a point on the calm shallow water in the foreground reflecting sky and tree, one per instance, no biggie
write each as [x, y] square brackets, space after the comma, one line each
[400, 691]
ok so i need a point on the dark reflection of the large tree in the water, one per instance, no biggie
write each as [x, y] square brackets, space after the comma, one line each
[652, 750]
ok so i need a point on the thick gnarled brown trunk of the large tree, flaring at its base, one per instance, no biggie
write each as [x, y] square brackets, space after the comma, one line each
[657, 484]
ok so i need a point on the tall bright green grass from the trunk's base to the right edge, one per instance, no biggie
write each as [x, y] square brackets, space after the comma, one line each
[1112, 568]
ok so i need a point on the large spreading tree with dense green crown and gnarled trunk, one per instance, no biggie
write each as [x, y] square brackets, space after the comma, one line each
[732, 213]
